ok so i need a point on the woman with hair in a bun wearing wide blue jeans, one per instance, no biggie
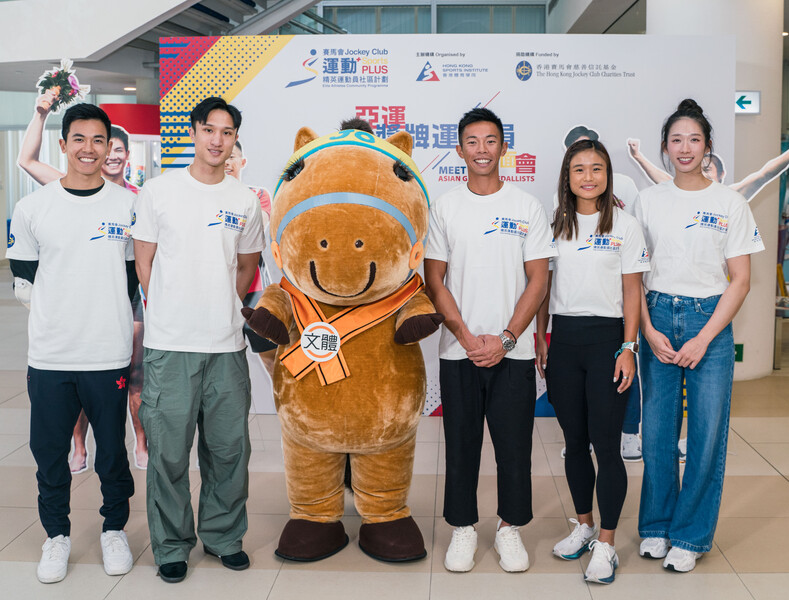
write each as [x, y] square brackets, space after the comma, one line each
[697, 232]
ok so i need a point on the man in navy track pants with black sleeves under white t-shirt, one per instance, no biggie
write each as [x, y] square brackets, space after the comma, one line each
[70, 253]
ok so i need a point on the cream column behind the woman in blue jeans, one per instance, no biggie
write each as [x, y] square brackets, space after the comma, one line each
[757, 26]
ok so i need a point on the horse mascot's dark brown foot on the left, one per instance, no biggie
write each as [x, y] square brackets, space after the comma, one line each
[307, 541]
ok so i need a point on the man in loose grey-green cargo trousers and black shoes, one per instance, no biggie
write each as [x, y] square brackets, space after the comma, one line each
[197, 238]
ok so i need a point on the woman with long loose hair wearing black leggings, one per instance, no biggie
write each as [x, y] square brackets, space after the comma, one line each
[594, 297]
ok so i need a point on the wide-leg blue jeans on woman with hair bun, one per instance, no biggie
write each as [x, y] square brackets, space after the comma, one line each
[686, 516]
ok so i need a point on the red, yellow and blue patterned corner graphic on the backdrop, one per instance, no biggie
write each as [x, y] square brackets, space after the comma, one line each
[197, 72]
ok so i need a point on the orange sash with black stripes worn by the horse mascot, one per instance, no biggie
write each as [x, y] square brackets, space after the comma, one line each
[348, 322]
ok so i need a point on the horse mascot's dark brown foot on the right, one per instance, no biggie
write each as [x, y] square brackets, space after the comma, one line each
[392, 541]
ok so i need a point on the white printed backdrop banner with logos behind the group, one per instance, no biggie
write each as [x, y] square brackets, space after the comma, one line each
[541, 86]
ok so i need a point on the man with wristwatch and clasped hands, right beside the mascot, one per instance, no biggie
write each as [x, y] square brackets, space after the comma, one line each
[486, 269]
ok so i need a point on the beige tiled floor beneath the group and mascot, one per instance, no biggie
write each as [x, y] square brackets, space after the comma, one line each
[749, 559]
